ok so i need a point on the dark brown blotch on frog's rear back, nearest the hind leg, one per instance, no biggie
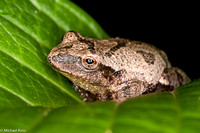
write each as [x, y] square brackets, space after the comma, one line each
[148, 57]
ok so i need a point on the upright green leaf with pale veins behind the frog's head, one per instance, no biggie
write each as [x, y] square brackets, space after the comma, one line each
[28, 31]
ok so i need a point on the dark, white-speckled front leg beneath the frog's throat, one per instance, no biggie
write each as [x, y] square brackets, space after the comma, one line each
[85, 95]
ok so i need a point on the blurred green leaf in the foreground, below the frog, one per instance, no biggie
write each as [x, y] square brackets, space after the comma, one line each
[175, 112]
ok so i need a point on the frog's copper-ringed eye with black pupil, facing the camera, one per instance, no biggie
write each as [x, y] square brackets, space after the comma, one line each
[89, 62]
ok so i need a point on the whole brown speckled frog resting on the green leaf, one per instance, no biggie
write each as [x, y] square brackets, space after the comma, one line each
[114, 69]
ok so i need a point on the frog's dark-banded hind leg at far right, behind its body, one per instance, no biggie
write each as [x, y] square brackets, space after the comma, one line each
[172, 78]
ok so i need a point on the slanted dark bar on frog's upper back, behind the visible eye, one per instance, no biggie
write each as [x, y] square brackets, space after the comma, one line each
[121, 43]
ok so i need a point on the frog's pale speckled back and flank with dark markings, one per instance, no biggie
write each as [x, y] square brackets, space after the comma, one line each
[140, 60]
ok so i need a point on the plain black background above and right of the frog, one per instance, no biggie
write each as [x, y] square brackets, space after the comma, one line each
[172, 27]
